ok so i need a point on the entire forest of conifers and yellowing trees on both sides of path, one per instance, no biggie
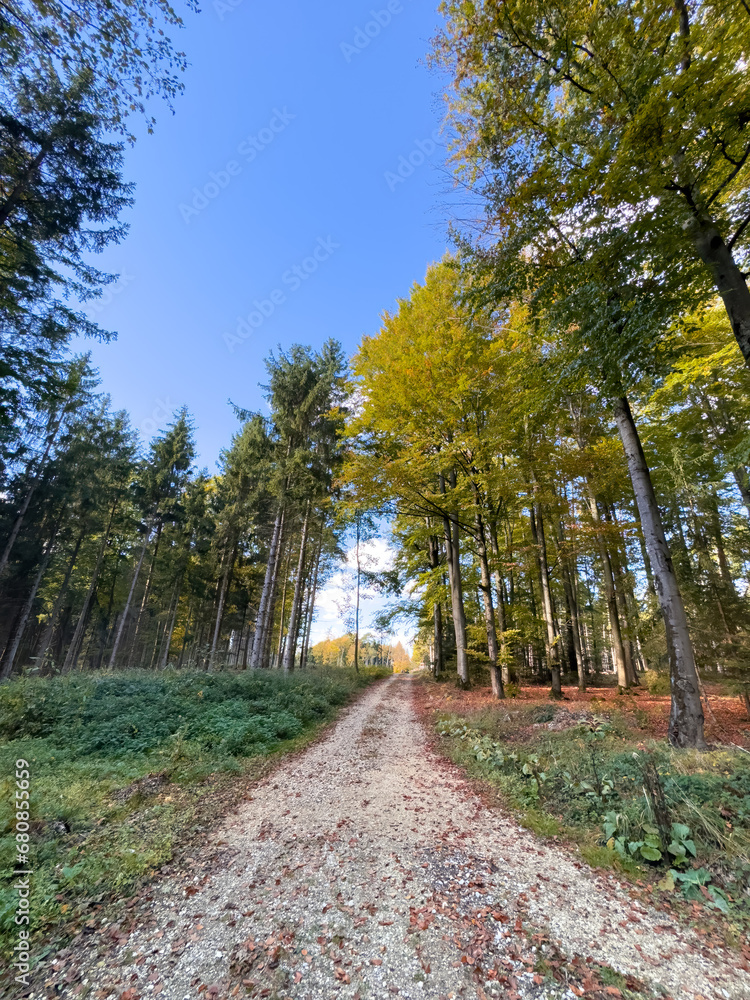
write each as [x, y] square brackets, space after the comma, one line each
[552, 426]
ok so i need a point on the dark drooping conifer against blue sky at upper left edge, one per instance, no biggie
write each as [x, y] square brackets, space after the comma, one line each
[61, 194]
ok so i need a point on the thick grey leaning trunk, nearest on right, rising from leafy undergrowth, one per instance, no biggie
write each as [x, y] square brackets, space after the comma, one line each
[686, 716]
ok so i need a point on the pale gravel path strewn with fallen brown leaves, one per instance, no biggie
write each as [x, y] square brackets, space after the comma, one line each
[366, 867]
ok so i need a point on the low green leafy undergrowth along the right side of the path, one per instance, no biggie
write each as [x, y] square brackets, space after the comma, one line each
[677, 820]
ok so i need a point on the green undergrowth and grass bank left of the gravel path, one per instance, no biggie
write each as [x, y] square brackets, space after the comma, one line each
[123, 767]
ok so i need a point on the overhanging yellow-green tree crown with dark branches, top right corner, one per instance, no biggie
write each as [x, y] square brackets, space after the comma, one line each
[625, 122]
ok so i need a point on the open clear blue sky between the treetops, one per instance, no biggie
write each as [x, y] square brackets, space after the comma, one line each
[298, 187]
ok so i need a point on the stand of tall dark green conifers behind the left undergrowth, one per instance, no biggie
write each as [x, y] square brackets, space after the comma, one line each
[118, 560]
